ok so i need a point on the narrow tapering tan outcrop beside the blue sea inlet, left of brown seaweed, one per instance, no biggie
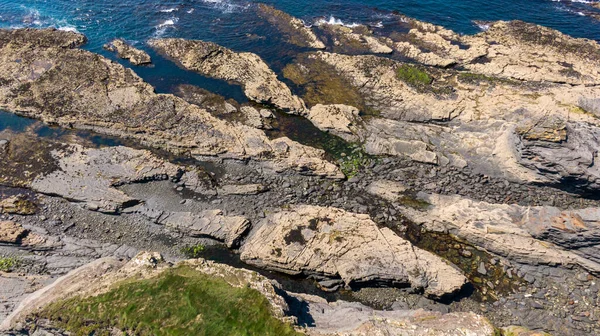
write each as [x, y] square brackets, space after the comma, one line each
[259, 82]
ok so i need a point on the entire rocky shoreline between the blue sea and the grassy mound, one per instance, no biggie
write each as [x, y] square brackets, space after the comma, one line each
[462, 178]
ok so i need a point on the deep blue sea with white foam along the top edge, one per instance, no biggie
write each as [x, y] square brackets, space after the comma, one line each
[234, 24]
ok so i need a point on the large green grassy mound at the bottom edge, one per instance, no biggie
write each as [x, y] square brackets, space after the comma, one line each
[180, 301]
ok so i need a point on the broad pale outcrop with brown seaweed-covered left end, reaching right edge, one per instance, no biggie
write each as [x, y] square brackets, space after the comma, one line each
[530, 132]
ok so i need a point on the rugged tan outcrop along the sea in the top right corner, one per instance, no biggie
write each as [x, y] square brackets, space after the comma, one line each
[515, 50]
